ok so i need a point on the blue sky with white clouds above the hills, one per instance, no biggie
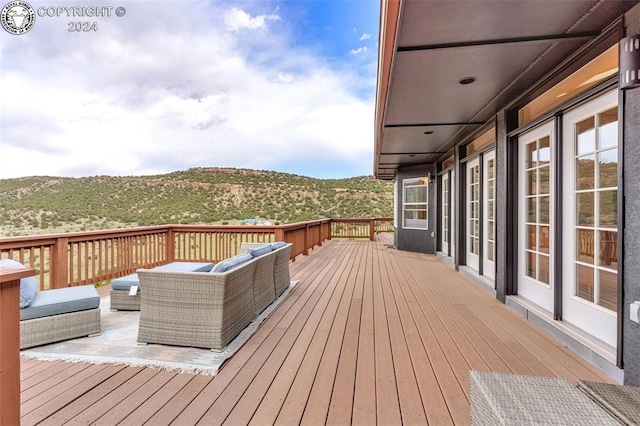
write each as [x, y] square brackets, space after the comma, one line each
[283, 85]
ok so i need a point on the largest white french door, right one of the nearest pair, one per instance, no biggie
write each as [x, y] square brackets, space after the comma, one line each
[590, 213]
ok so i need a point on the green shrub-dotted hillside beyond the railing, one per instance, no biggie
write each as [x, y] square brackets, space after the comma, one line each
[44, 205]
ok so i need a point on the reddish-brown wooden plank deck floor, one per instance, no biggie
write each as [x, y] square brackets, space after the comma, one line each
[370, 335]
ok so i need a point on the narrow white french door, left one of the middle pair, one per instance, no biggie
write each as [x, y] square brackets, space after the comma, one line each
[473, 213]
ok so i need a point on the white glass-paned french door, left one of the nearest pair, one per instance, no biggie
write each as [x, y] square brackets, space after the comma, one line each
[535, 213]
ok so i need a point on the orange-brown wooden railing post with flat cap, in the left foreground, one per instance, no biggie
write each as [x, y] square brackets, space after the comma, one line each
[10, 343]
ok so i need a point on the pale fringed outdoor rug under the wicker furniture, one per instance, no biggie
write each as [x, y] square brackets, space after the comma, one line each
[118, 345]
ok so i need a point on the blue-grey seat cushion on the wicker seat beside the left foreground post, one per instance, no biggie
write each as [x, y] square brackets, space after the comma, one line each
[61, 301]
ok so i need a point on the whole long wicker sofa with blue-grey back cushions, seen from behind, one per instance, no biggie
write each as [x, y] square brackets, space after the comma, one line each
[209, 309]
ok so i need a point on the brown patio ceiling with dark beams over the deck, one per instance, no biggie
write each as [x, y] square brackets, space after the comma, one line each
[428, 47]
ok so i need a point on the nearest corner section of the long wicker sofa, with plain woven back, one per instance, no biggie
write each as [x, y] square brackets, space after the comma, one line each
[197, 309]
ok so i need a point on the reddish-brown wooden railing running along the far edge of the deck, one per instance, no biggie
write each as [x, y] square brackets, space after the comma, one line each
[94, 257]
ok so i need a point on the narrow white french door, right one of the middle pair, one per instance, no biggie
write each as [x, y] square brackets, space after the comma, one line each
[489, 214]
